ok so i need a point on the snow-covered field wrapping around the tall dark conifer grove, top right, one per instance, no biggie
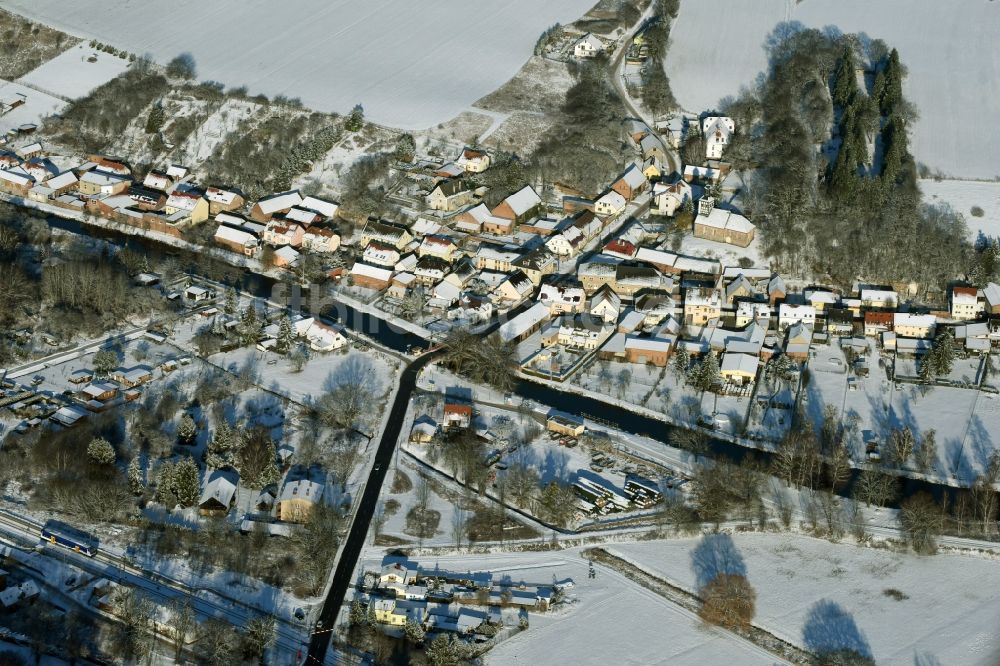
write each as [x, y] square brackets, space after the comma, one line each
[718, 45]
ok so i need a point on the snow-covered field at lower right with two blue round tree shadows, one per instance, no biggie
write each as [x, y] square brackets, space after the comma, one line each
[898, 609]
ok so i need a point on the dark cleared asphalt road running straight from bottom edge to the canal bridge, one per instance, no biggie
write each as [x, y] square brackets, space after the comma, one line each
[320, 641]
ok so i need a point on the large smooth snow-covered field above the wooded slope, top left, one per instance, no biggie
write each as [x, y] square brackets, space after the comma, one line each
[411, 64]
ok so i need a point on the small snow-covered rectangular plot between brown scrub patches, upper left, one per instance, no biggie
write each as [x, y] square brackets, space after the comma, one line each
[70, 74]
